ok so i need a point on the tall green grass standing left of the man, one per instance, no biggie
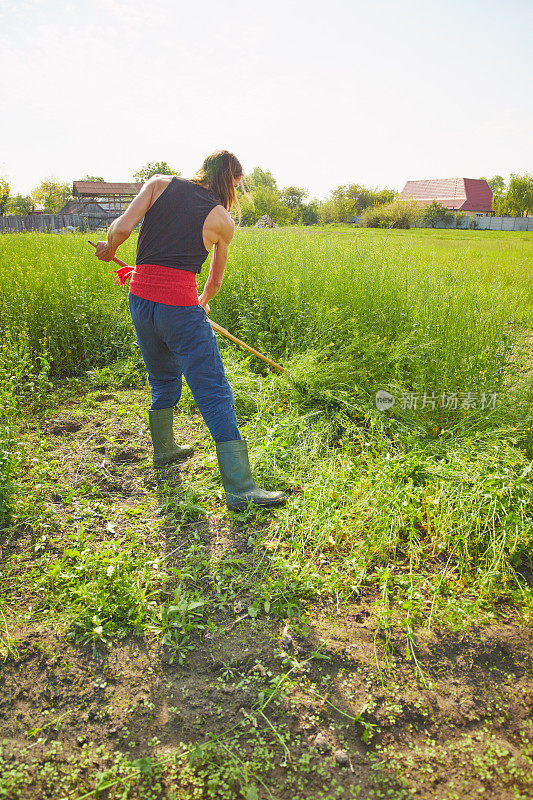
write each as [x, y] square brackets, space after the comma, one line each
[56, 295]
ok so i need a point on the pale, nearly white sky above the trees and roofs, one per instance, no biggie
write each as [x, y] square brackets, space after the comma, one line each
[320, 92]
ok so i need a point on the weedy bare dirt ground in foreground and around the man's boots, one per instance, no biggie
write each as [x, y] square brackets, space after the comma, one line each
[351, 716]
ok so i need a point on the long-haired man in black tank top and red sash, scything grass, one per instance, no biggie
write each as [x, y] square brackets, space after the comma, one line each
[183, 221]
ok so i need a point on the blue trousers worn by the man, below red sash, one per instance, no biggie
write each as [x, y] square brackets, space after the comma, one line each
[178, 341]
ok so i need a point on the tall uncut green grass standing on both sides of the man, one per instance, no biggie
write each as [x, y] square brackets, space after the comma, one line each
[388, 306]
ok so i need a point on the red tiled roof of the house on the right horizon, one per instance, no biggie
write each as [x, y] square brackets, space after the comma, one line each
[461, 194]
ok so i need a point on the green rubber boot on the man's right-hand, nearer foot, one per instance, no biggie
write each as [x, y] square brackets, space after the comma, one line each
[237, 478]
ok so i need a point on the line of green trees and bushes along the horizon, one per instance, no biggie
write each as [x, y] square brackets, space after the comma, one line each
[289, 205]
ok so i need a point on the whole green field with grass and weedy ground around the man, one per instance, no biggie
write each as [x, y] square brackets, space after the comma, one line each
[416, 523]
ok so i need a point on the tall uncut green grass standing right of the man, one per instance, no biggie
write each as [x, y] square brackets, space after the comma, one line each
[433, 318]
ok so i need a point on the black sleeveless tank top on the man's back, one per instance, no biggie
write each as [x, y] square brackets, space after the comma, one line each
[171, 233]
